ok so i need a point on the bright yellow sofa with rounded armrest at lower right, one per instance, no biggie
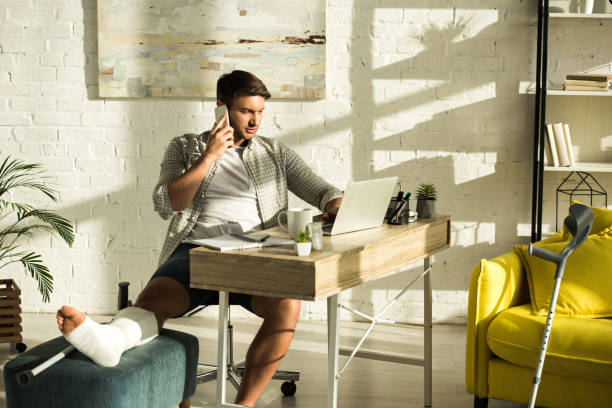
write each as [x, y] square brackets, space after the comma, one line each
[503, 339]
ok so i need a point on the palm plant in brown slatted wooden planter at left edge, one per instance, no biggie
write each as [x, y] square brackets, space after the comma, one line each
[20, 220]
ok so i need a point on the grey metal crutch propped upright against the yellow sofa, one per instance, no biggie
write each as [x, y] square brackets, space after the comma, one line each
[579, 224]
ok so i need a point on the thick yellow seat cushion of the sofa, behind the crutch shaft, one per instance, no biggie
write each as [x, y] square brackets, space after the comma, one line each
[578, 347]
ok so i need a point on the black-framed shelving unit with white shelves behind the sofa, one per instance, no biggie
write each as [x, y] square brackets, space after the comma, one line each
[584, 114]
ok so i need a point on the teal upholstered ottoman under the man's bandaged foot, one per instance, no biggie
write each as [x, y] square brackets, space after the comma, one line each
[159, 374]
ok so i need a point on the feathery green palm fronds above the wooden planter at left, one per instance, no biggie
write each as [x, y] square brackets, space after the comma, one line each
[24, 220]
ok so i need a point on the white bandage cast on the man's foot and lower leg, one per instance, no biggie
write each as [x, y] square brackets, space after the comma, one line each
[104, 343]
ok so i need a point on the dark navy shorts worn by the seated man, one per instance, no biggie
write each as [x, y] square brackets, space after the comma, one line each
[177, 268]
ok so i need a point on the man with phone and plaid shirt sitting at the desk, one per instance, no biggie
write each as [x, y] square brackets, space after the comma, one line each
[226, 180]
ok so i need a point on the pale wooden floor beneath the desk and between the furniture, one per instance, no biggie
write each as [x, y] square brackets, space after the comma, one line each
[364, 384]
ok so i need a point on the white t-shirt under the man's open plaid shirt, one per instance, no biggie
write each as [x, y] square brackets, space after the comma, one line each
[230, 204]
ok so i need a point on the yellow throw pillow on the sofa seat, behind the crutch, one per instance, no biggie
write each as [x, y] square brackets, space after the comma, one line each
[587, 281]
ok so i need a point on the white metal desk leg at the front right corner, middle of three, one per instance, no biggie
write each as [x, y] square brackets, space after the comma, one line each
[333, 348]
